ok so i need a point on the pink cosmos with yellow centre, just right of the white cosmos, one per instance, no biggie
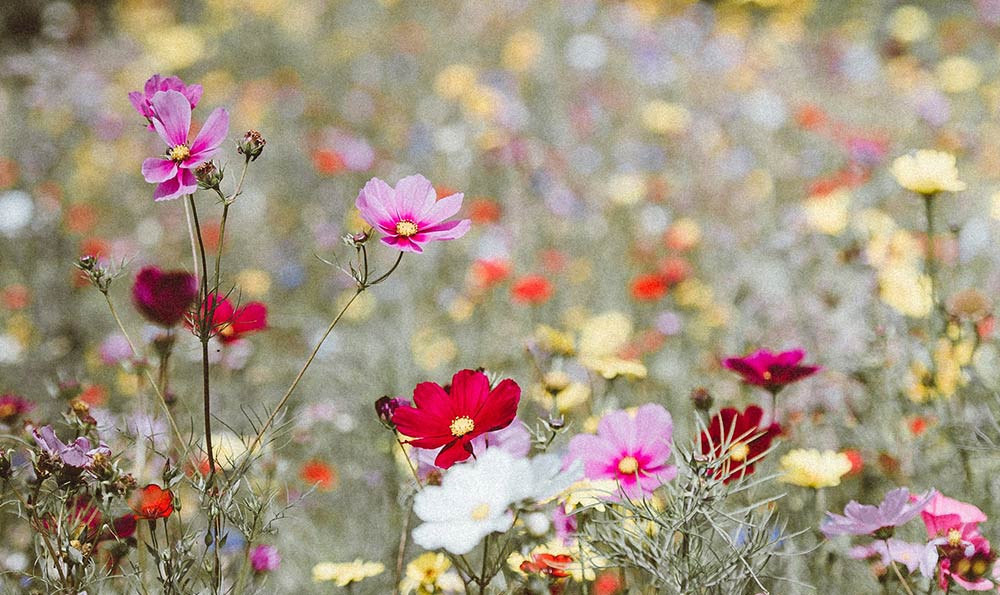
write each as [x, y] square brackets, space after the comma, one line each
[633, 449]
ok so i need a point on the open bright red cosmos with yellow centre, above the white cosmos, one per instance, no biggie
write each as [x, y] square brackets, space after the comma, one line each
[451, 419]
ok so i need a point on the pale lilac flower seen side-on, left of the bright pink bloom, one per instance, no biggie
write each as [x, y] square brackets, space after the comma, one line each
[863, 519]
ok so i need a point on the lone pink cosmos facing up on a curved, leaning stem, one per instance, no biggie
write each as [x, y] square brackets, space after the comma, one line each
[410, 215]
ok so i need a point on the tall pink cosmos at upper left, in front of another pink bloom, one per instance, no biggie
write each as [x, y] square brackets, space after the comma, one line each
[174, 174]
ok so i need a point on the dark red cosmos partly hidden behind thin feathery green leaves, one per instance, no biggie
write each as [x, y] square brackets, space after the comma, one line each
[742, 437]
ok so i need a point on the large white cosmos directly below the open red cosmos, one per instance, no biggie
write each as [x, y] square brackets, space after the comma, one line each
[474, 499]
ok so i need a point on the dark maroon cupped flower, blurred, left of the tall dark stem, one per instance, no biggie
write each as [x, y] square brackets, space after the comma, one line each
[164, 297]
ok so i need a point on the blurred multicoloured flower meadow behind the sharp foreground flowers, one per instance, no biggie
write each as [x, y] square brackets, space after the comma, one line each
[715, 172]
